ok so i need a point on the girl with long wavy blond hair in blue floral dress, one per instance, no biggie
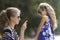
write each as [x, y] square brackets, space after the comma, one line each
[48, 22]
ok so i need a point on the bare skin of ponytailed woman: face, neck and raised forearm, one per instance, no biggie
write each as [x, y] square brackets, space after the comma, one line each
[15, 20]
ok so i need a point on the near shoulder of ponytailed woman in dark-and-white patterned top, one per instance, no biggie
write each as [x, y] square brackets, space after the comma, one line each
[7, 34]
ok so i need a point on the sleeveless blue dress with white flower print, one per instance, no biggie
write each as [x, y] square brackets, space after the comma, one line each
[47, 32]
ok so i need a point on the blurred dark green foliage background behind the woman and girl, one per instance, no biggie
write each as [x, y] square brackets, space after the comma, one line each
[29, 12]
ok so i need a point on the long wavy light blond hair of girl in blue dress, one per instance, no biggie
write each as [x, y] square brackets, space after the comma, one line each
[51, 13]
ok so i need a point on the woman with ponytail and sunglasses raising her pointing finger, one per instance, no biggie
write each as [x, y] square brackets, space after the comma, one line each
[8, 19]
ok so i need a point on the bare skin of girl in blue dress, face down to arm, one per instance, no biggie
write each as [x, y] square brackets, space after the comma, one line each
[43, 20]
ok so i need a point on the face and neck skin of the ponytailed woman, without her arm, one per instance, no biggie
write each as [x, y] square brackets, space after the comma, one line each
[14, 20]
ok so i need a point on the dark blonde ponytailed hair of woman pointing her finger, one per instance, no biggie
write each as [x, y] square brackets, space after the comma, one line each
[5, 16]
